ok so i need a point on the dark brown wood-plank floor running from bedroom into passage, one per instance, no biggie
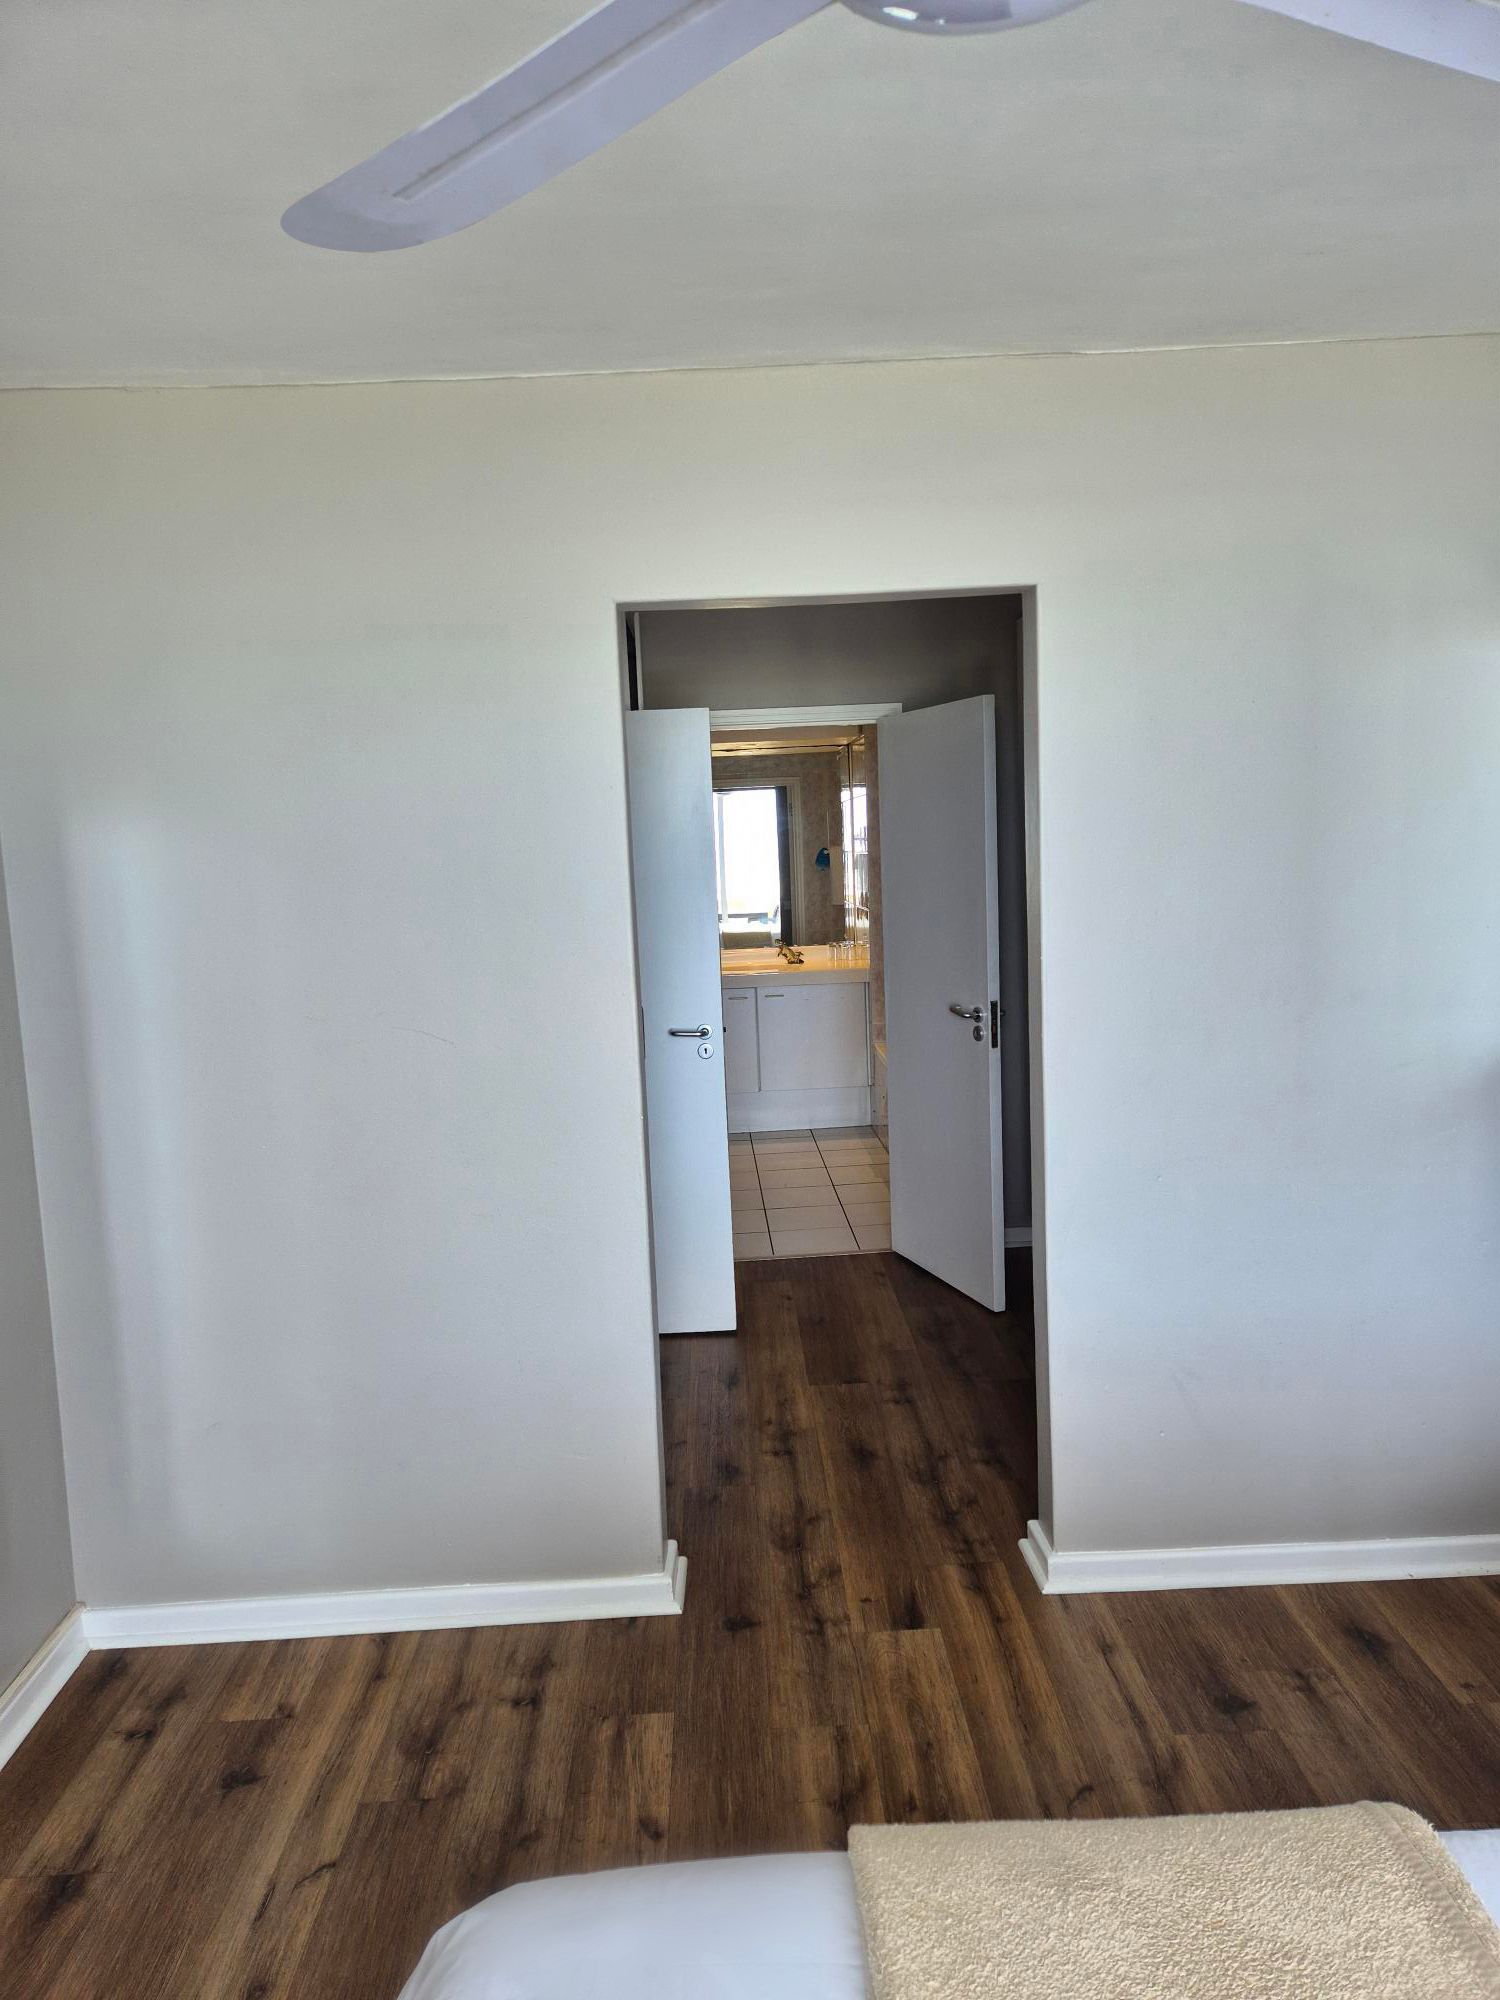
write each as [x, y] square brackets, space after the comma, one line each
[861, 1643]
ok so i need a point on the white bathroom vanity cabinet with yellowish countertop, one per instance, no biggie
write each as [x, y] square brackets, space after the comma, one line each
[797, 1039]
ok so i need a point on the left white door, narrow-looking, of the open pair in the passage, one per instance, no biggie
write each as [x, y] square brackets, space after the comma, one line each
[683, 1017]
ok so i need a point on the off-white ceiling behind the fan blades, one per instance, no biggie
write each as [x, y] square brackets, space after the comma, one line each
[1139, 173]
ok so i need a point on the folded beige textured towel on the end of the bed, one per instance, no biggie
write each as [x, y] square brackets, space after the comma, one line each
[1343, 1903]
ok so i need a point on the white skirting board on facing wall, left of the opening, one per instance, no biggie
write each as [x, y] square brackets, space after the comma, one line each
[345, 1613]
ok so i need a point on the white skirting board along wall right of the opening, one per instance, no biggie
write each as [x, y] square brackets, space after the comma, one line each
[1063, 1573]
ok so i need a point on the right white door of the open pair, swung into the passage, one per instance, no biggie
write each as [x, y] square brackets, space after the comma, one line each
[939, 897]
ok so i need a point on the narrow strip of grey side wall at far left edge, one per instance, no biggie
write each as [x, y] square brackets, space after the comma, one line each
[35, 1551]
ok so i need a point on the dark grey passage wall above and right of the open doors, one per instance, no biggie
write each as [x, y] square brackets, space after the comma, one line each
[917, 653]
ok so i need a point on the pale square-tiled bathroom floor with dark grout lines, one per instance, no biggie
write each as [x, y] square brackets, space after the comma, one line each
[809, 1193]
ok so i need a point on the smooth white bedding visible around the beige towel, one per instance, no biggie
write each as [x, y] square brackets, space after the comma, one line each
[775, 1929]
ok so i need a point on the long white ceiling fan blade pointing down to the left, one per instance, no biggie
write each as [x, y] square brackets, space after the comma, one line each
[593, 83]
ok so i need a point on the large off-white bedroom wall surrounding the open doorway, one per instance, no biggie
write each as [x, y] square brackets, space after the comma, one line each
[313, 799]
